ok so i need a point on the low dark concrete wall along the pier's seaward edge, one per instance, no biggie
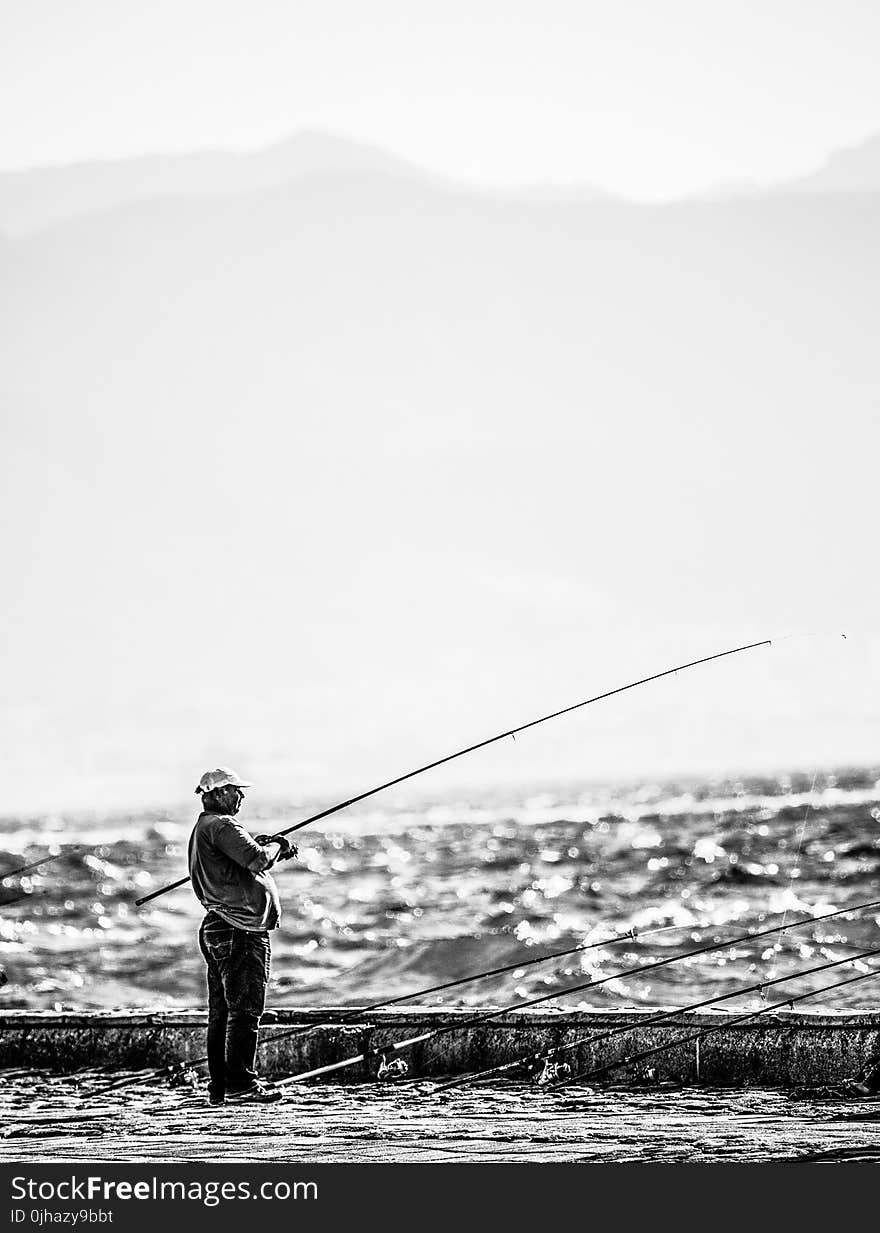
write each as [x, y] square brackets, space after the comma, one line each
[782, 1050]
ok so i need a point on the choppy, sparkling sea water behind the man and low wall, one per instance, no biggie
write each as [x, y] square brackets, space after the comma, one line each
[389, 901]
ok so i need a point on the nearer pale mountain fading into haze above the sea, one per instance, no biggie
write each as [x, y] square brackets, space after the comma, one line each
[283, 462]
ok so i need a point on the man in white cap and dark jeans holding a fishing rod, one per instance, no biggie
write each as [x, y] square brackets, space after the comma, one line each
[230, 877]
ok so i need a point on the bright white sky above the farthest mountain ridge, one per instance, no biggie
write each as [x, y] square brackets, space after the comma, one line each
[640, 97]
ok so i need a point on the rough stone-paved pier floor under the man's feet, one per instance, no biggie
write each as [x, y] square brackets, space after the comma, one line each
[67, 1119]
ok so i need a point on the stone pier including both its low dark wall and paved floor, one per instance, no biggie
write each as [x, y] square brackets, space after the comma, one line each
[713, 1104]
